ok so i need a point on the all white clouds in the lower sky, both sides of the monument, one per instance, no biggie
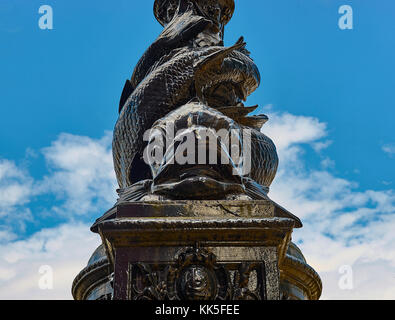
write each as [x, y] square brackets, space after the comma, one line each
[343, 225]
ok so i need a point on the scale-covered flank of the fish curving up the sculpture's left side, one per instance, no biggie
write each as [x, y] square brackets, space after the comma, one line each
[163, 90]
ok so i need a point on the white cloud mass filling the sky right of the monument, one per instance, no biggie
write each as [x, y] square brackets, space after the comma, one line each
[342, 225]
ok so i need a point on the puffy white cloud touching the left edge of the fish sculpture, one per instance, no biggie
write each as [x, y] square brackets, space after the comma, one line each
[82, 174]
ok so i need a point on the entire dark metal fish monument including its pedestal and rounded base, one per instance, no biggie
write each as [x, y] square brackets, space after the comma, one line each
[203, 228]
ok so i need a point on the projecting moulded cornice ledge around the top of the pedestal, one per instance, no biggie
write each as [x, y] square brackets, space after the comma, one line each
[170, 231]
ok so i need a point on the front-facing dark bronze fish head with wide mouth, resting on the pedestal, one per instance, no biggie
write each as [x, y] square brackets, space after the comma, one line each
[223, 175]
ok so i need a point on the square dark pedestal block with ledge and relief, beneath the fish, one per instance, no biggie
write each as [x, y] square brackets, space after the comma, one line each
[191, 250]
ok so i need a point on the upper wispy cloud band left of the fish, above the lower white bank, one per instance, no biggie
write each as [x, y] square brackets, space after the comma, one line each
[80, 180]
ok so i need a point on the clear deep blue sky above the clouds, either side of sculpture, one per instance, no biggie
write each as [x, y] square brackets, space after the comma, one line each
[69, 79]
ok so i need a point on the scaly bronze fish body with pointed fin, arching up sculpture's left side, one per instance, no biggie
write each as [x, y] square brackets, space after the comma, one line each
[167, 87]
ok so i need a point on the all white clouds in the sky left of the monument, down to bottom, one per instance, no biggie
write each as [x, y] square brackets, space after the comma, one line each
[81, 177]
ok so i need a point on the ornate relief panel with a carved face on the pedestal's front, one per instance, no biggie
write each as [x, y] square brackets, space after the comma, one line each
[196, 275]
